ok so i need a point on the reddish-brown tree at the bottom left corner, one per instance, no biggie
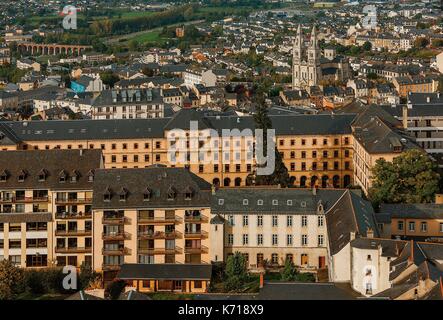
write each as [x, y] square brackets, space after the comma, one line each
[11, 280]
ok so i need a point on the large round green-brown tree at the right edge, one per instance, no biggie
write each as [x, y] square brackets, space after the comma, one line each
[410, 178]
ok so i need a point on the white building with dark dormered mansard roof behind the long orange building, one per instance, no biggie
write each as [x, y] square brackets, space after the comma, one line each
[128, 104]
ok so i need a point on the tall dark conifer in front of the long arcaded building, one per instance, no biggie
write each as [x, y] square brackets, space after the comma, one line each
[280, 175]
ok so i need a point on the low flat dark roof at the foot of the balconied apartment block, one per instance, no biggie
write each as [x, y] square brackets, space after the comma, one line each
[165, 271]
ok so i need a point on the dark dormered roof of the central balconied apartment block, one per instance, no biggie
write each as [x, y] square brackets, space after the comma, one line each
[157, 181]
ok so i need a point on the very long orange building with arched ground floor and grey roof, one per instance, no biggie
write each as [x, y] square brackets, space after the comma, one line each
[316, 149]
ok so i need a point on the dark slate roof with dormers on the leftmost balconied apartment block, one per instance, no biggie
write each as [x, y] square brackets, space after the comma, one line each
[53, 162]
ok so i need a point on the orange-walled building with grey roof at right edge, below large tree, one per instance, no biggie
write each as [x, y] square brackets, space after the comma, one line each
[418, 221]
